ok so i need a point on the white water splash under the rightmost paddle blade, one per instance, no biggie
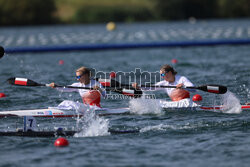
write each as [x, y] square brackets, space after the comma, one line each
[231, 104]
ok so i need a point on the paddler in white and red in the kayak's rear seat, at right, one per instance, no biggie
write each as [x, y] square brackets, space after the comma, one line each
[171, 79]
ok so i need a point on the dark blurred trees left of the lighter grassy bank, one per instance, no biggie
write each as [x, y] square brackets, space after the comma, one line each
[27, 12]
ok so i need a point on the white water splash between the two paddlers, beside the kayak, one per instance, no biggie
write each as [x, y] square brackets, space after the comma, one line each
[145, 106]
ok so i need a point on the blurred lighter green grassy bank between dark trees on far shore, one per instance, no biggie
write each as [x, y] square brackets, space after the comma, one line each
[69, 11]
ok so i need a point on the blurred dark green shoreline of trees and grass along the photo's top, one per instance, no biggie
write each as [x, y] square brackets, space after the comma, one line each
[36, 12]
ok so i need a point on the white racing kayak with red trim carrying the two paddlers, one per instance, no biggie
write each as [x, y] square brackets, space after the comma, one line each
[72, 109]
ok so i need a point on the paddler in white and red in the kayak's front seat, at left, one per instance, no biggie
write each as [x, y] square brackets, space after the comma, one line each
[90, 97]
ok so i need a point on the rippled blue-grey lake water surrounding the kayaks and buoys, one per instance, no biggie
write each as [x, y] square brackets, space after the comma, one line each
[167, 138]
